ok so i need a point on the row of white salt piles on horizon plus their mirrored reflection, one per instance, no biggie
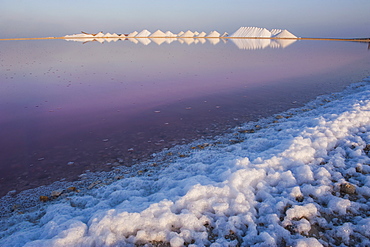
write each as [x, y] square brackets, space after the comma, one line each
[248, 38]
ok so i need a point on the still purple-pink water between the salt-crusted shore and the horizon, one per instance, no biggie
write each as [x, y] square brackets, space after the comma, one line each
[66, 106]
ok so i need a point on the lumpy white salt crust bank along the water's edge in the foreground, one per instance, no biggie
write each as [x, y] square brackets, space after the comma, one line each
[300, 178]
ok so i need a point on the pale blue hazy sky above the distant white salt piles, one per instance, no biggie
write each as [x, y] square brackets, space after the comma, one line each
[315, 18]
